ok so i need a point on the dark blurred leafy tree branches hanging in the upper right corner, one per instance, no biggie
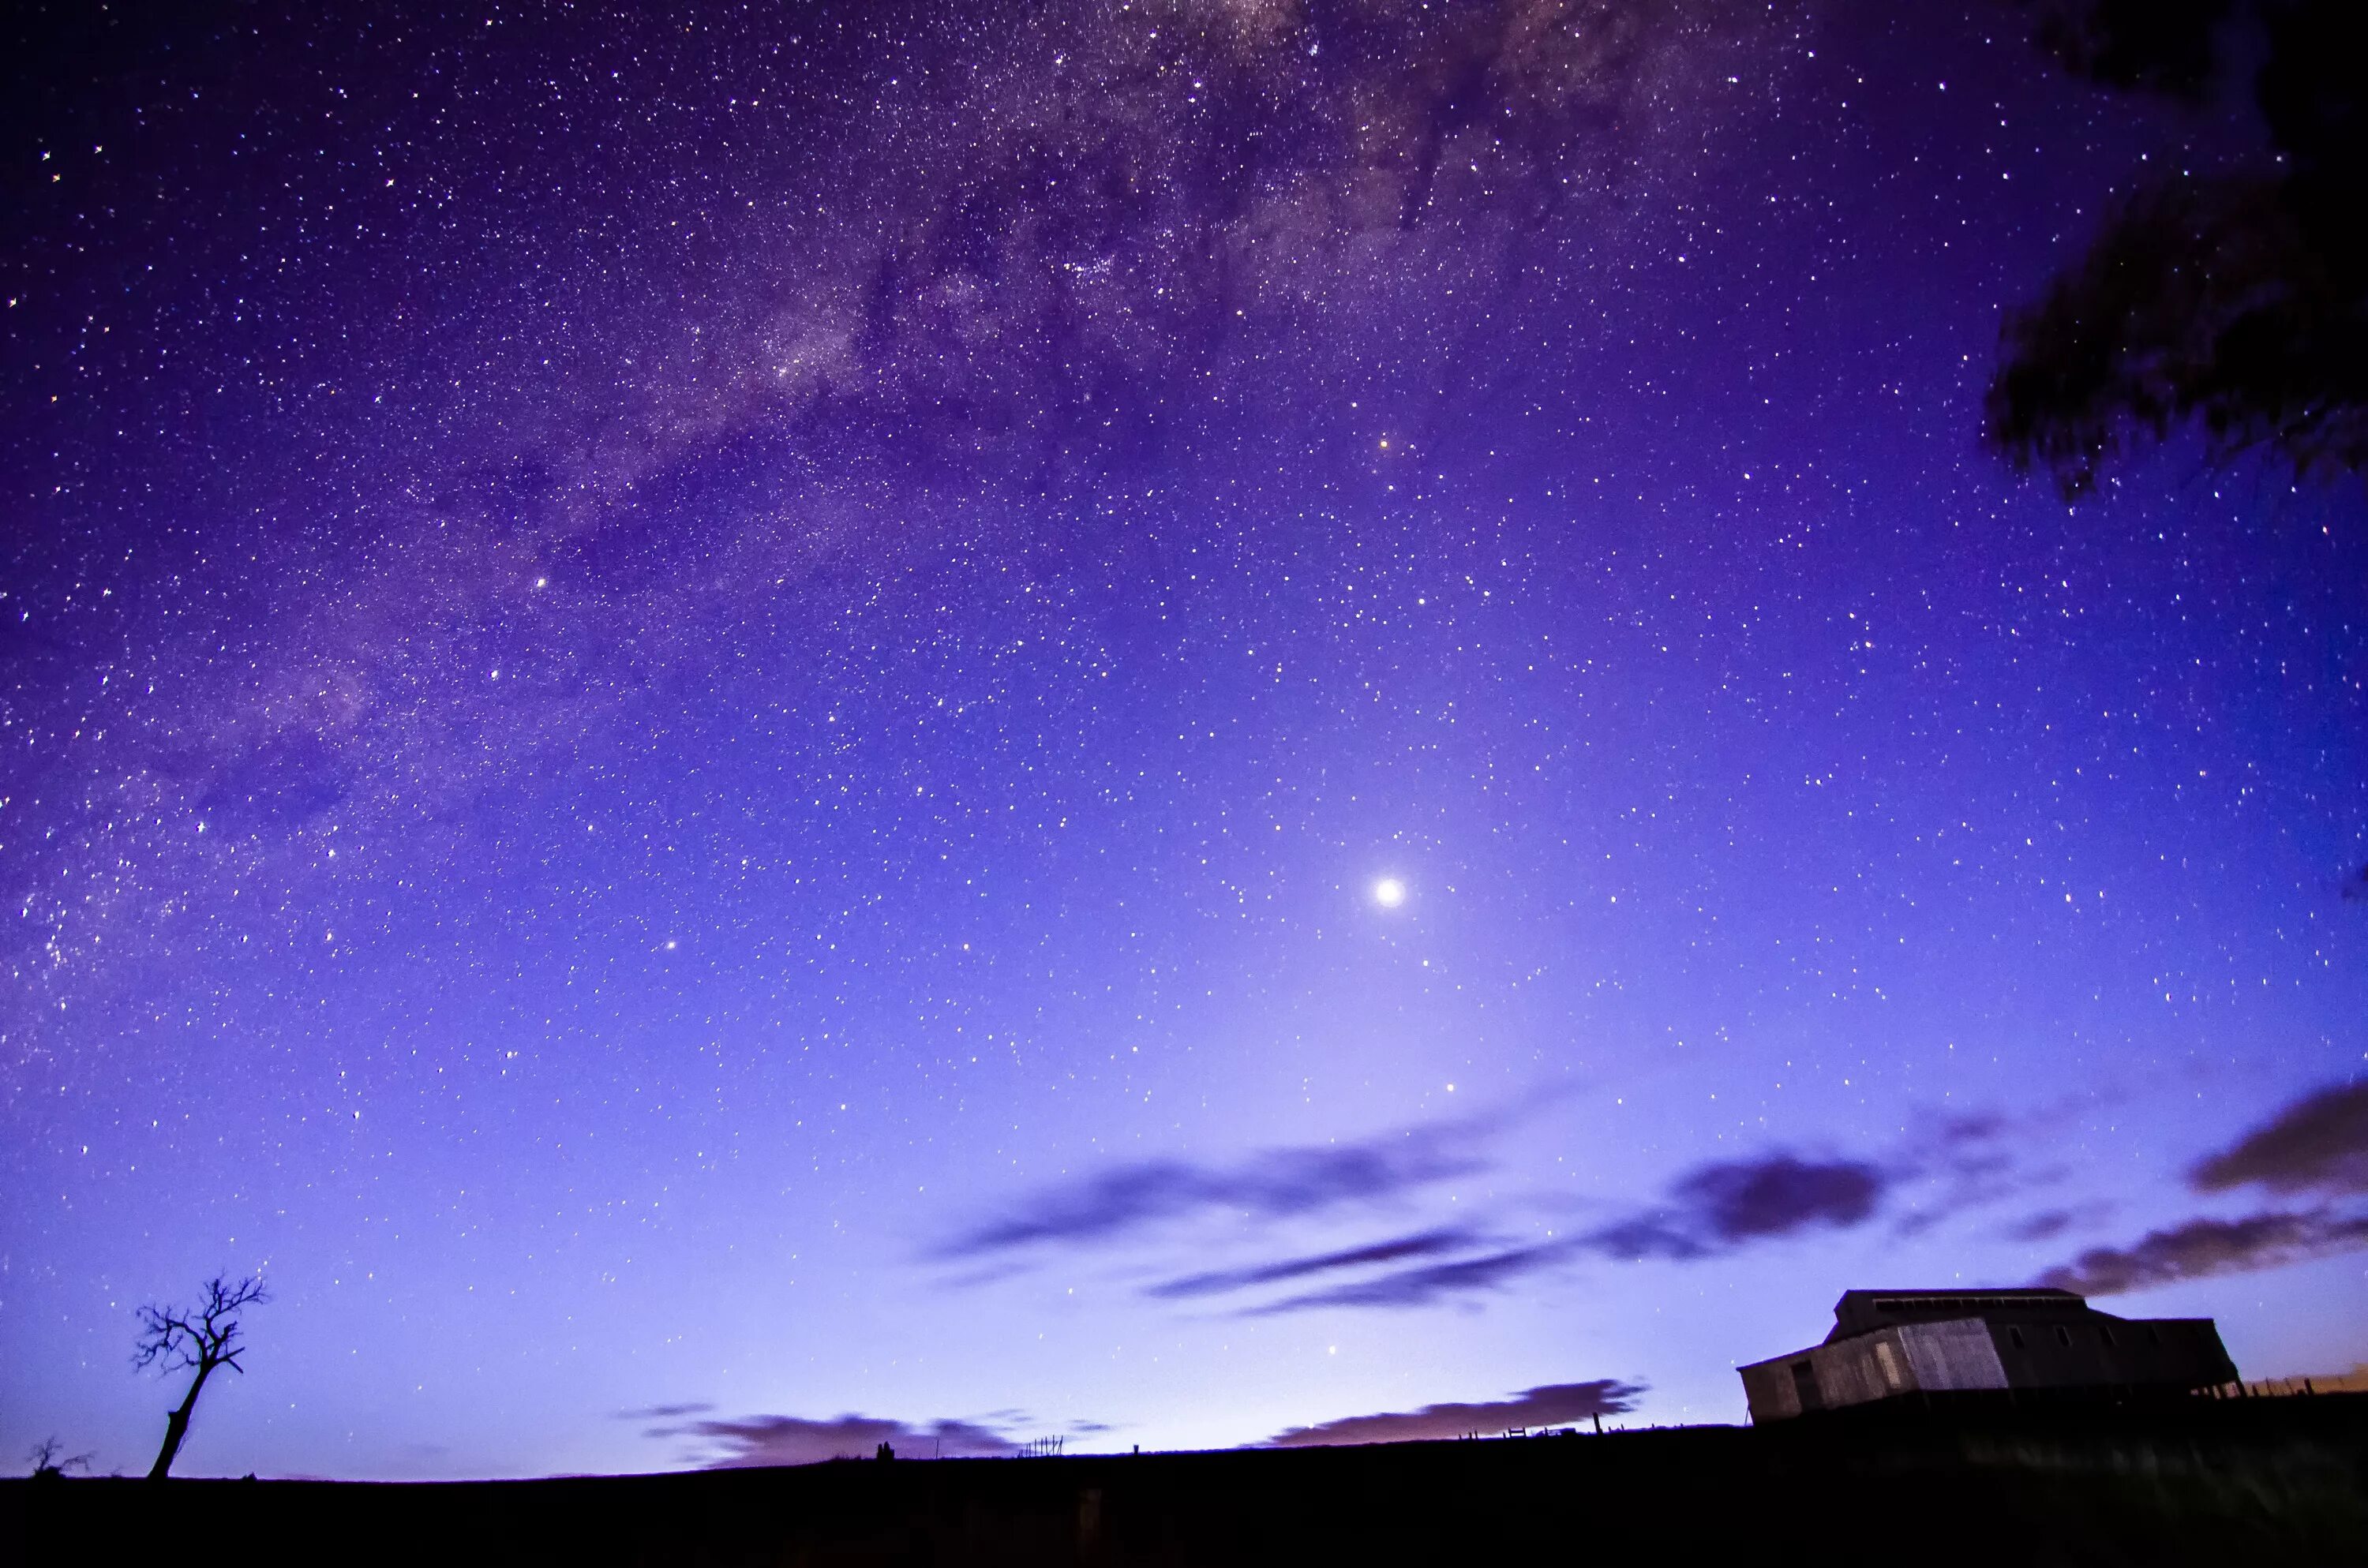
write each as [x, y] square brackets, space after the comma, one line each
[2234, 302]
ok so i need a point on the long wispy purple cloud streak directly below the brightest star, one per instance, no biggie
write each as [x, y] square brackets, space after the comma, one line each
[1273, 1185]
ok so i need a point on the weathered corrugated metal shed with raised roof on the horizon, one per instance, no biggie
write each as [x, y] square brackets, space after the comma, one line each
[1924, 1344]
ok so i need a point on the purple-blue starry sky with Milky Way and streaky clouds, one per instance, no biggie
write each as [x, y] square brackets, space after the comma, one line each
[704, 716]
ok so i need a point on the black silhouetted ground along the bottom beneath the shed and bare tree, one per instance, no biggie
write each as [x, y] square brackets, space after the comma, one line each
[2246, 1482]
